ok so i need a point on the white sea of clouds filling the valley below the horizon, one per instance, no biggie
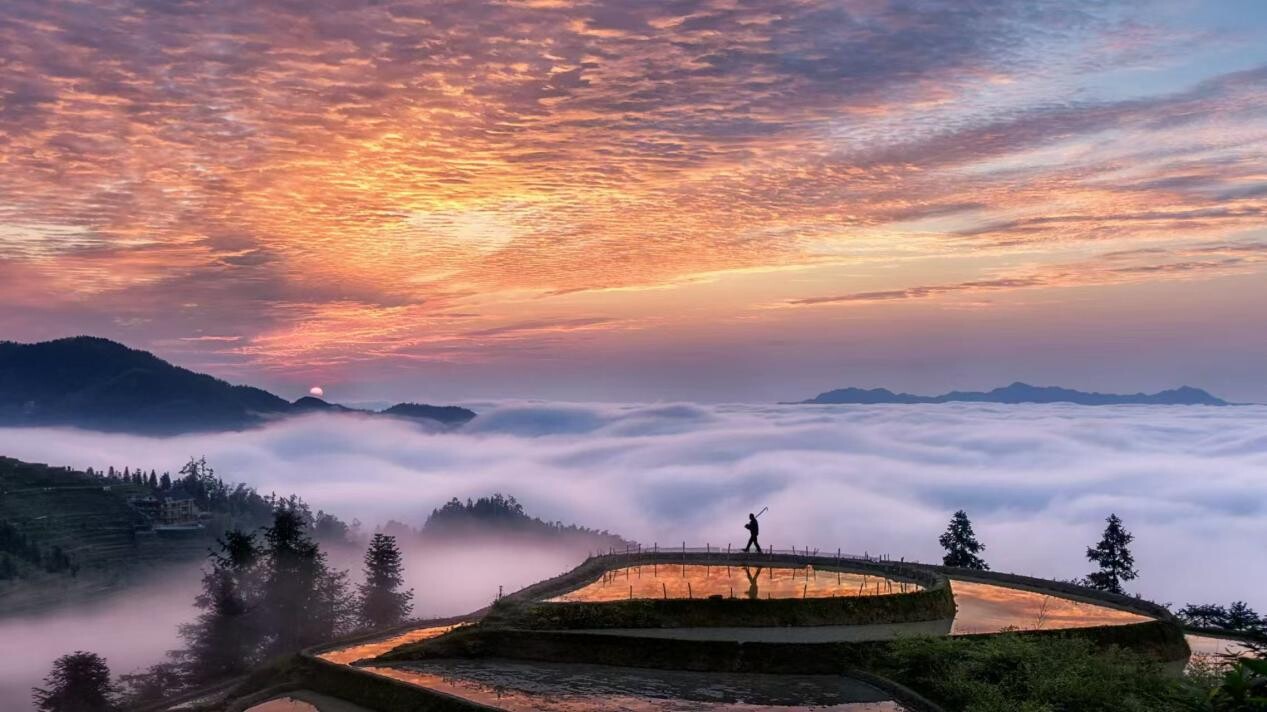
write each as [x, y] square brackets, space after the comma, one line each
[1192, 483]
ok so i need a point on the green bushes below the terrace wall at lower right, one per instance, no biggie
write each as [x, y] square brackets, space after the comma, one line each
[1018, 673]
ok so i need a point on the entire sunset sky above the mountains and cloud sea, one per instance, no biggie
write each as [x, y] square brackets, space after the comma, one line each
[714, 201]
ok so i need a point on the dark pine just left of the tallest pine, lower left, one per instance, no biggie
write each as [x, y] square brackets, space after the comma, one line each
[225, 638]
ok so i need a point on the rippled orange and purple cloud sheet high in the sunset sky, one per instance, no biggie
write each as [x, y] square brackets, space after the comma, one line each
[331, 179]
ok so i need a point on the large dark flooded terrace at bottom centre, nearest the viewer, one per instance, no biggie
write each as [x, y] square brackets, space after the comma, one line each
[518, 686]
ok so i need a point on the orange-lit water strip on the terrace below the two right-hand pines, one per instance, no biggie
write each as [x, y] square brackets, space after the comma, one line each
[985, 609]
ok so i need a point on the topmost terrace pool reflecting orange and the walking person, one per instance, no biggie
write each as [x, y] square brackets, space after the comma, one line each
[697, 581]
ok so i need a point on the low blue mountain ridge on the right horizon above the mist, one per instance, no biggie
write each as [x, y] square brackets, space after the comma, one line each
[1022, 393]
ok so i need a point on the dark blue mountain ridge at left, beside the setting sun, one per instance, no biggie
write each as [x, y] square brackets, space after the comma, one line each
[101, 385]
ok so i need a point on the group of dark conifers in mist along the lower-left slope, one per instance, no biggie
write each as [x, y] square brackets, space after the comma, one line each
[264, 595]
